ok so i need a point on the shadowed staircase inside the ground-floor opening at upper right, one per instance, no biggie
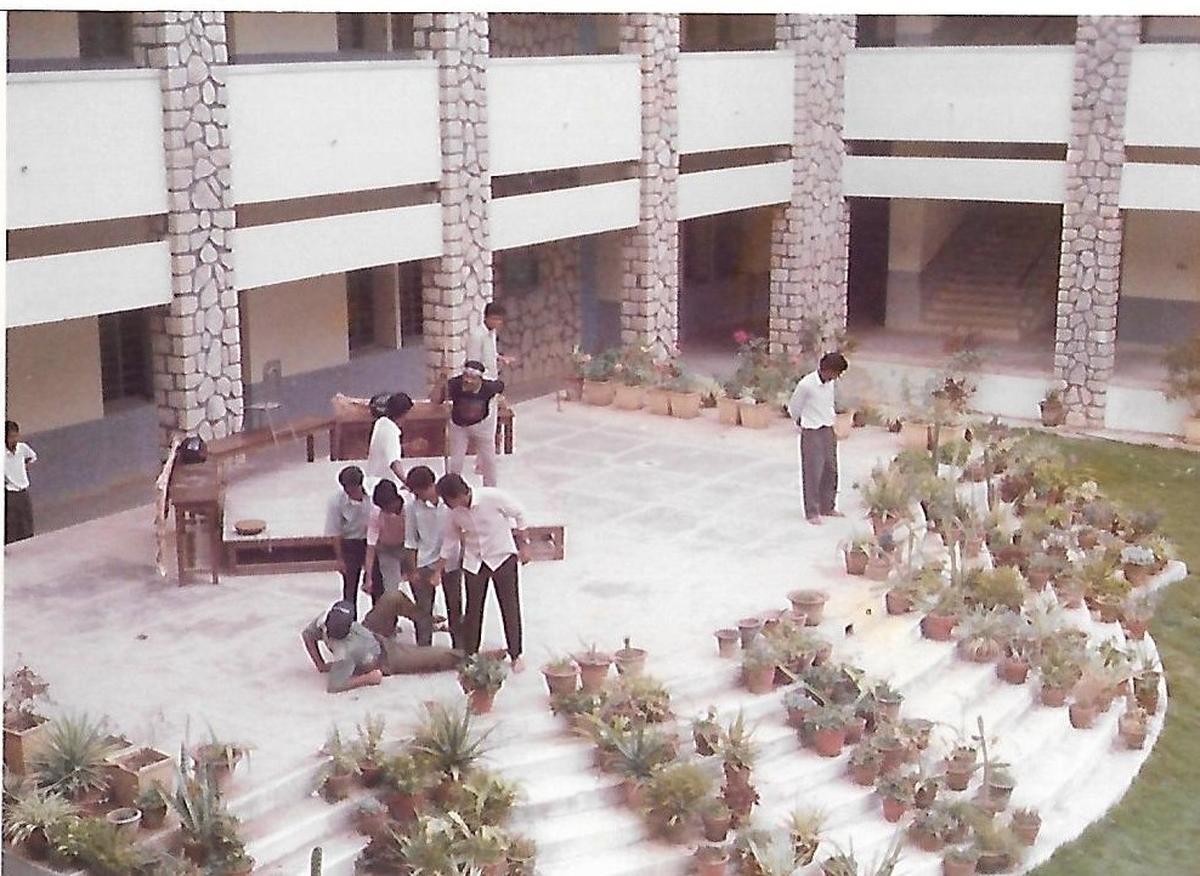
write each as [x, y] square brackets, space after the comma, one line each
[997, 275]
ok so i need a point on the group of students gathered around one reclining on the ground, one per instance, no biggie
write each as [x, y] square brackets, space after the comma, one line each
[437, 535]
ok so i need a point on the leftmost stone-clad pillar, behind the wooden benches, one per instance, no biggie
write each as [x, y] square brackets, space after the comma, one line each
[196, 344]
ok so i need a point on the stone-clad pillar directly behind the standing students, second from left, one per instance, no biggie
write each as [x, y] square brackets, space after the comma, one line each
[459, 285]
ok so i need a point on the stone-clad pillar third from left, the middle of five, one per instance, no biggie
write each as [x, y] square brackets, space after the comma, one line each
[650, 308]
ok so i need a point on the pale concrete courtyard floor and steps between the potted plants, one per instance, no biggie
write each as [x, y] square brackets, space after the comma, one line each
[674, 530]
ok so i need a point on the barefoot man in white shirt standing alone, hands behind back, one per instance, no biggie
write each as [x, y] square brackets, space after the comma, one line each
[812, 407]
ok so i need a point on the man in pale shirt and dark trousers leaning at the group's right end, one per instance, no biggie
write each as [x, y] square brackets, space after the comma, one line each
[484, 521]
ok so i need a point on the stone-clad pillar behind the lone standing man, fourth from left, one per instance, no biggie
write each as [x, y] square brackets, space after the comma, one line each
[811, 235]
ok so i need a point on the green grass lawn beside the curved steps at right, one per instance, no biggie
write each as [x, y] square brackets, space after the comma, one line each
[1156, 827]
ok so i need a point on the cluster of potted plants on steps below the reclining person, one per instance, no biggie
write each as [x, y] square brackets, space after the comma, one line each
[427, 803]
